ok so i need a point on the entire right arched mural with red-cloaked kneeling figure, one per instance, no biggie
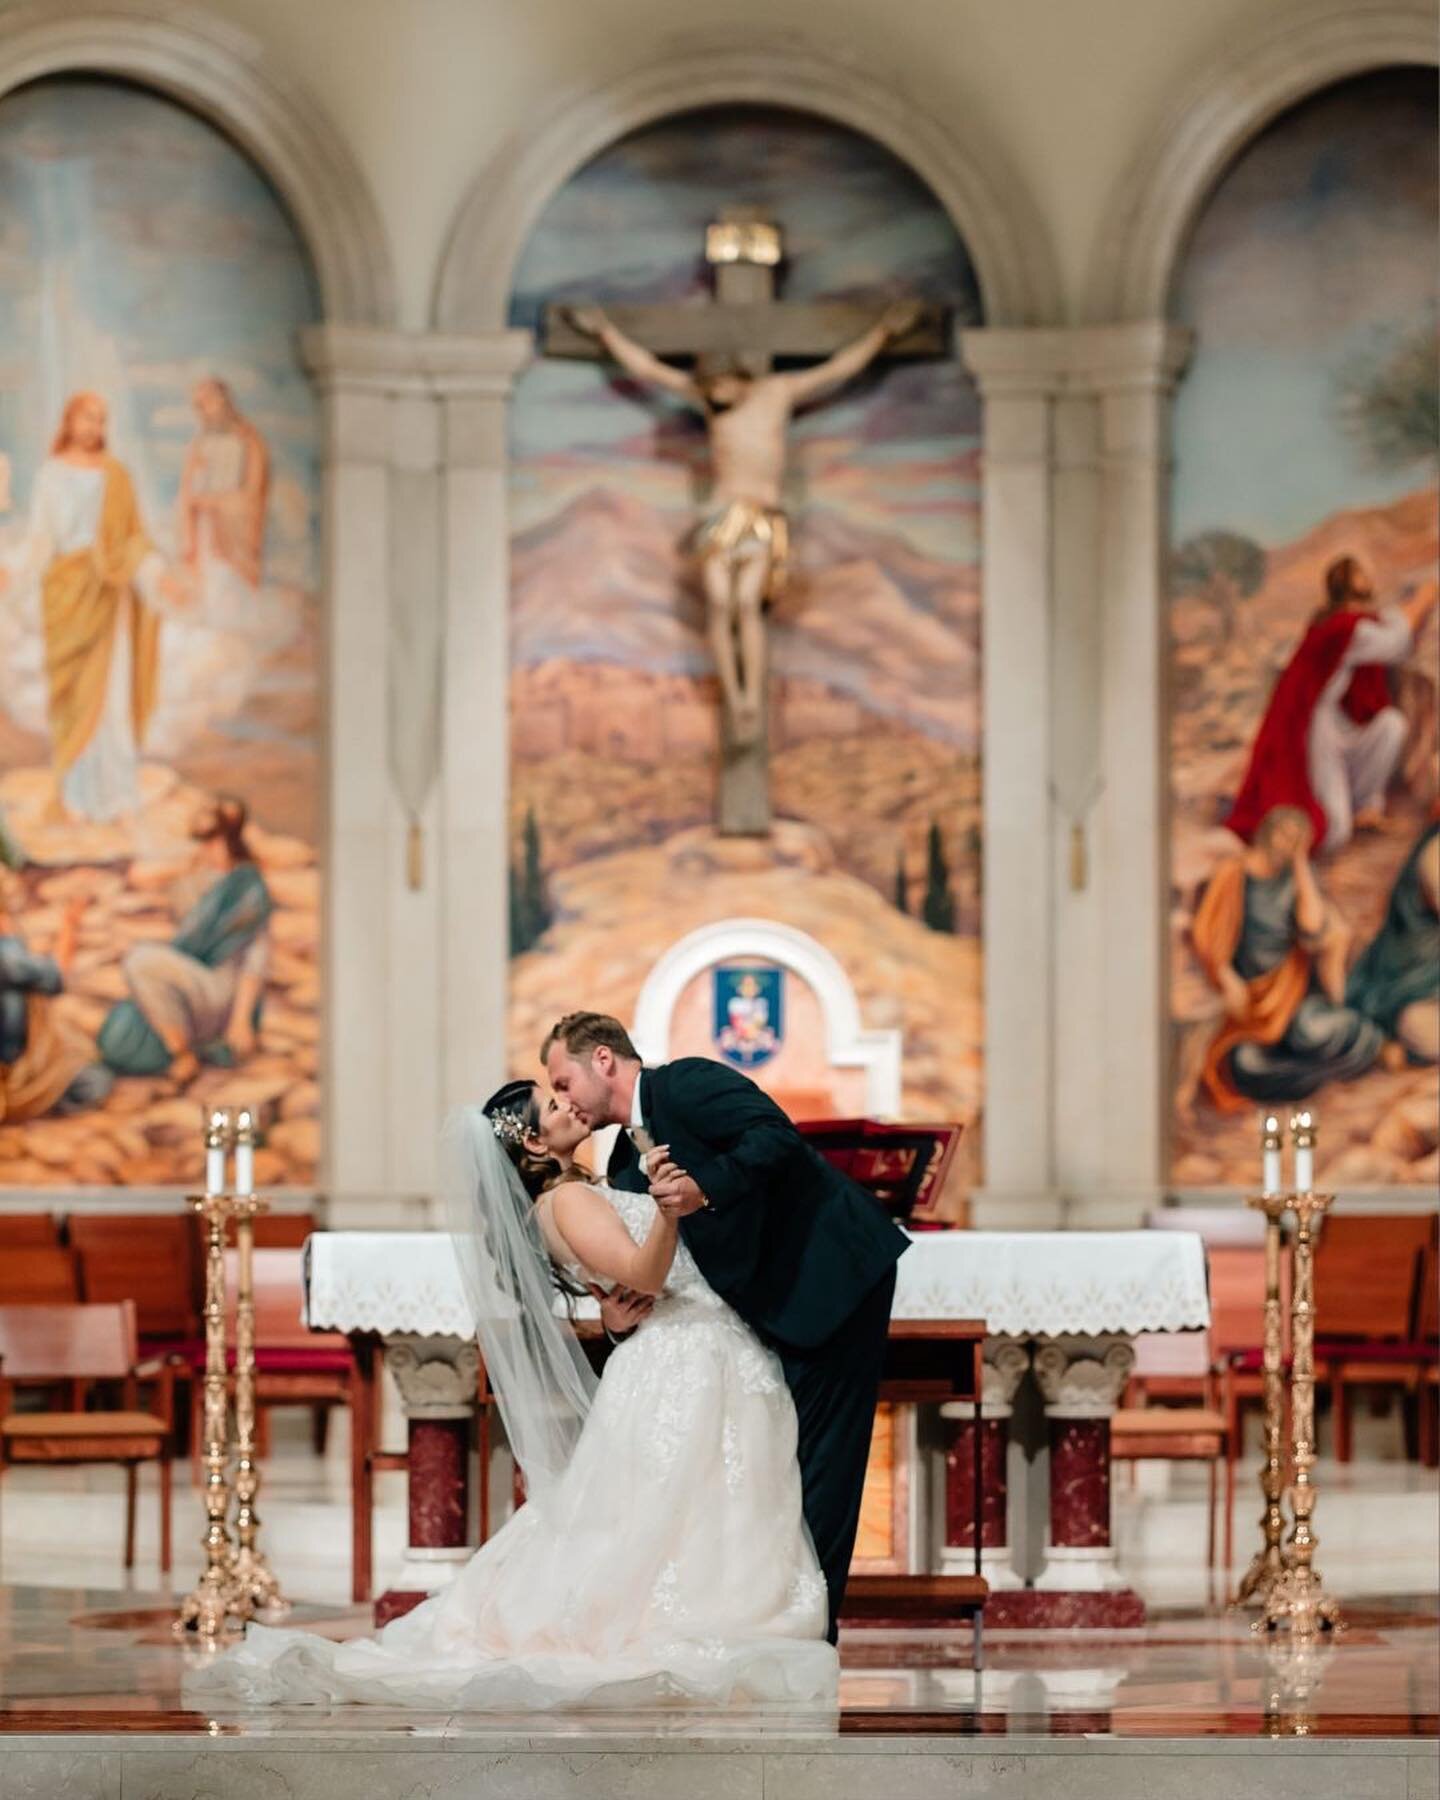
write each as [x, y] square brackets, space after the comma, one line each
[1306, 834]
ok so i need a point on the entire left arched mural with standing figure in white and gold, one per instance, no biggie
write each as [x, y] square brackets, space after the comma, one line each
[159, 872]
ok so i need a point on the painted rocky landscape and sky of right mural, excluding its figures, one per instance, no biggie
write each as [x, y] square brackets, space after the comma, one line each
[1304, 435]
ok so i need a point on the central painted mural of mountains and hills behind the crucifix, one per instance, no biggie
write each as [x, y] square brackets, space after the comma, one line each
[876, 730]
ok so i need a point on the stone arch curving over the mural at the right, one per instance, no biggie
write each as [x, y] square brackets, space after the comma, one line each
[1221, 107]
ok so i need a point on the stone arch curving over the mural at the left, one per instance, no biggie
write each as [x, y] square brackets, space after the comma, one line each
[224, 76]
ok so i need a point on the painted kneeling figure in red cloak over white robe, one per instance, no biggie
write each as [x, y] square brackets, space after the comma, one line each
[1333, 735]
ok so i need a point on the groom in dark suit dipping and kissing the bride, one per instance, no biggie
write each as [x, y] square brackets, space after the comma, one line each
[802, 1254]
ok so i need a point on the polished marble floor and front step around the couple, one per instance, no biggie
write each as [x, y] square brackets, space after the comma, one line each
[91, 1660]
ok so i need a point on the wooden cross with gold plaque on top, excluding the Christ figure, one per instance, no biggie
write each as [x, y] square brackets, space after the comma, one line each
[748, 328]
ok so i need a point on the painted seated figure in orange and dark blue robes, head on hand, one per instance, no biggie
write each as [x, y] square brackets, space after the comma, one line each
[1275, 951]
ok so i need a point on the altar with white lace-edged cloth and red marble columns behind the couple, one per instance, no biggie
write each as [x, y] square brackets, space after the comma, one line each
[1061, 1313]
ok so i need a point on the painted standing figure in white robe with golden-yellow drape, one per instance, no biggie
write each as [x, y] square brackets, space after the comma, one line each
[100, 588]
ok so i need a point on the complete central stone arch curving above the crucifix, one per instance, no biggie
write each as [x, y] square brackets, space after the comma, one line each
[993, 213]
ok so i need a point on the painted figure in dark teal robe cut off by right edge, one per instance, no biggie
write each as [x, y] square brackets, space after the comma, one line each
[1398, 978]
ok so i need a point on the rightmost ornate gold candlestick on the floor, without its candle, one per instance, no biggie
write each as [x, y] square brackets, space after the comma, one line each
[1299, 1599]
